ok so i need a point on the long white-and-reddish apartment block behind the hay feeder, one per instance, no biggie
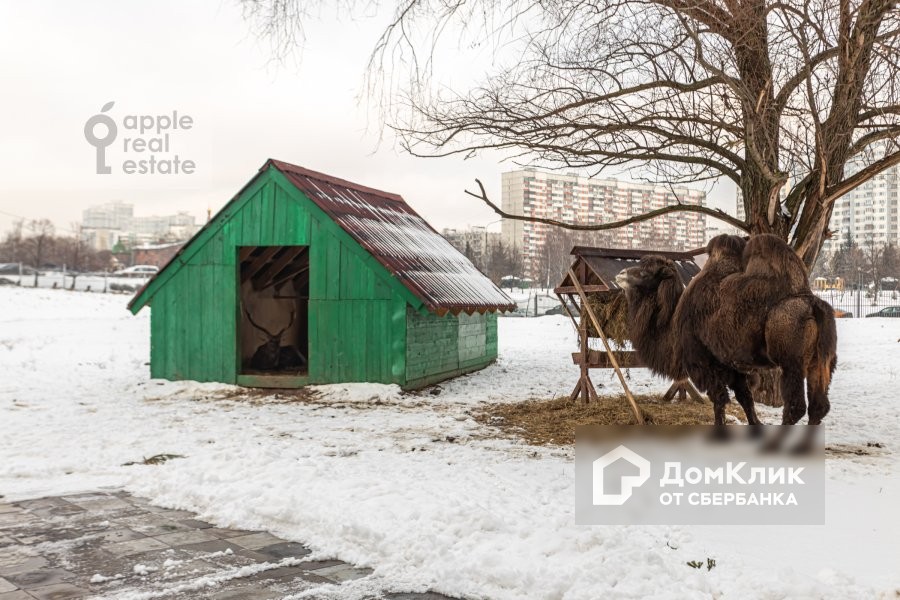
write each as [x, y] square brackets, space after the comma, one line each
[575, 199]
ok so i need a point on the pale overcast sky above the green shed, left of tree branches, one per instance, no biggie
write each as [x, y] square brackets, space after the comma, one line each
[61, 62]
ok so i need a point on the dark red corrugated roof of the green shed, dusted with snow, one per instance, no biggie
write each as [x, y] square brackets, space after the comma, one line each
[392, 232]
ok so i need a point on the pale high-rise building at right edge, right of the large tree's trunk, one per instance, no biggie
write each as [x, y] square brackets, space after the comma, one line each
[870, 214]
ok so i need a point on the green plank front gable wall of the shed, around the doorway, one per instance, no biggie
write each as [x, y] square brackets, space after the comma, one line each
[357, 323]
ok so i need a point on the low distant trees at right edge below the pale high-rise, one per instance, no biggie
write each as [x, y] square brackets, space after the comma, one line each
[868, 263]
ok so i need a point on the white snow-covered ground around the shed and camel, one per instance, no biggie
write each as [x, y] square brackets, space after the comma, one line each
[411, 485]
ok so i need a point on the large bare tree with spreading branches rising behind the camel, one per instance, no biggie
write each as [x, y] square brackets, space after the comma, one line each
[767, 93]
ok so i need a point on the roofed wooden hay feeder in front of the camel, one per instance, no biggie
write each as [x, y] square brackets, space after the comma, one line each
[590, 285]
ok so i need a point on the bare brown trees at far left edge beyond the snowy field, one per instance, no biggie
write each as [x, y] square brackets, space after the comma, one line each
[37, 245]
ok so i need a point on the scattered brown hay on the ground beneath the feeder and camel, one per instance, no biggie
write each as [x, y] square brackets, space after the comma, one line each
[553, 422]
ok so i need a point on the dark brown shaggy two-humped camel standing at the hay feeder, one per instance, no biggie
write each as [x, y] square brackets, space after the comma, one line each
[749, 308]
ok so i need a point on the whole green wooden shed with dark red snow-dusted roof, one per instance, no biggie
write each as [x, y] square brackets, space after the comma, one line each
[305, 278]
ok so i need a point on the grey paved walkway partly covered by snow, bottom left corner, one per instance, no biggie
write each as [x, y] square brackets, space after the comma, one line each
[103, 545]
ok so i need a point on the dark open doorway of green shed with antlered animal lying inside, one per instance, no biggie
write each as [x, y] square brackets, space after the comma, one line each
[273, 332]
